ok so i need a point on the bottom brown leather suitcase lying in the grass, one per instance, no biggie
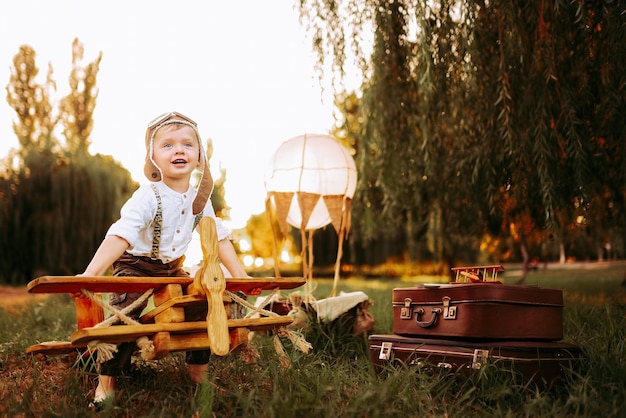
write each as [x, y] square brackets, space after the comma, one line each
[539, 362]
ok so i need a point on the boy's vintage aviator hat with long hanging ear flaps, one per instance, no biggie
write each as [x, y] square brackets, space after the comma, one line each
[153, 172]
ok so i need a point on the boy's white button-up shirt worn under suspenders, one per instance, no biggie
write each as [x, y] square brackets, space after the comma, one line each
[137, 221]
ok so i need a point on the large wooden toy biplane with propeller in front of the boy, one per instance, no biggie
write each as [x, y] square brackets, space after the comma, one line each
[175, 298]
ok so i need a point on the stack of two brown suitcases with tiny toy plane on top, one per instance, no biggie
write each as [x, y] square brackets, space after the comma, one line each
[477, 320]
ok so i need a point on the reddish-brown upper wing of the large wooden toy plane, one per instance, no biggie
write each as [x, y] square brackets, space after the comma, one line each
[70, 284]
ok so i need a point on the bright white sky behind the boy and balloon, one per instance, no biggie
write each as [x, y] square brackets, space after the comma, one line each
[243, 70]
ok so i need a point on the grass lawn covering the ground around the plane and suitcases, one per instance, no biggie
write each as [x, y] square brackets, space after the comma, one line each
[337, 378]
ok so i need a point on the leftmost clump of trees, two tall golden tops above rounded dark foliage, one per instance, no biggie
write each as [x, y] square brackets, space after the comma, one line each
[56, 199]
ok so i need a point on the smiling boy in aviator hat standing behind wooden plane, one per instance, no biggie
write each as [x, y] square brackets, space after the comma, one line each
[155, 229]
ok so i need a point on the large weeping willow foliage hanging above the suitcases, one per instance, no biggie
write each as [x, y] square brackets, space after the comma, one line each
[497, 116]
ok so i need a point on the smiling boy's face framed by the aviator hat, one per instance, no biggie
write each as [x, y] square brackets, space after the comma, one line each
[176, 151]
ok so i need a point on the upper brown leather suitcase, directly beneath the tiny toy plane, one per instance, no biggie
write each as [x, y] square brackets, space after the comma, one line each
[478, 311]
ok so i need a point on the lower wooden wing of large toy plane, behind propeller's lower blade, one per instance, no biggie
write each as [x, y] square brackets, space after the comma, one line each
[125, 333]
